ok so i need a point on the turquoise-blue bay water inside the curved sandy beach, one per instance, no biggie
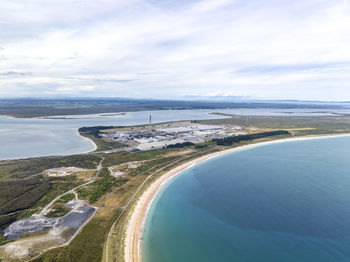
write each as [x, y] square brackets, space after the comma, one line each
[276, 203]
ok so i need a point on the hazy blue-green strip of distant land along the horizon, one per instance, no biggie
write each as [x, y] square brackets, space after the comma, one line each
[30, 107]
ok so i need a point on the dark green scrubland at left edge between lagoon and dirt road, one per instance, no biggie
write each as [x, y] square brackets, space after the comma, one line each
[24, 189]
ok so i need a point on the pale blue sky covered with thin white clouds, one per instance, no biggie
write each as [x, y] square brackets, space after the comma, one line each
[271, 49]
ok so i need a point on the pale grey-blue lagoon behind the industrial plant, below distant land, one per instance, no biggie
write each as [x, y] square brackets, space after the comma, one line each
[58, 135]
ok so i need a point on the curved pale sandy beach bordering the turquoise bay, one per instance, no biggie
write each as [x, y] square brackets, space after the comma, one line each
[137, 219]
